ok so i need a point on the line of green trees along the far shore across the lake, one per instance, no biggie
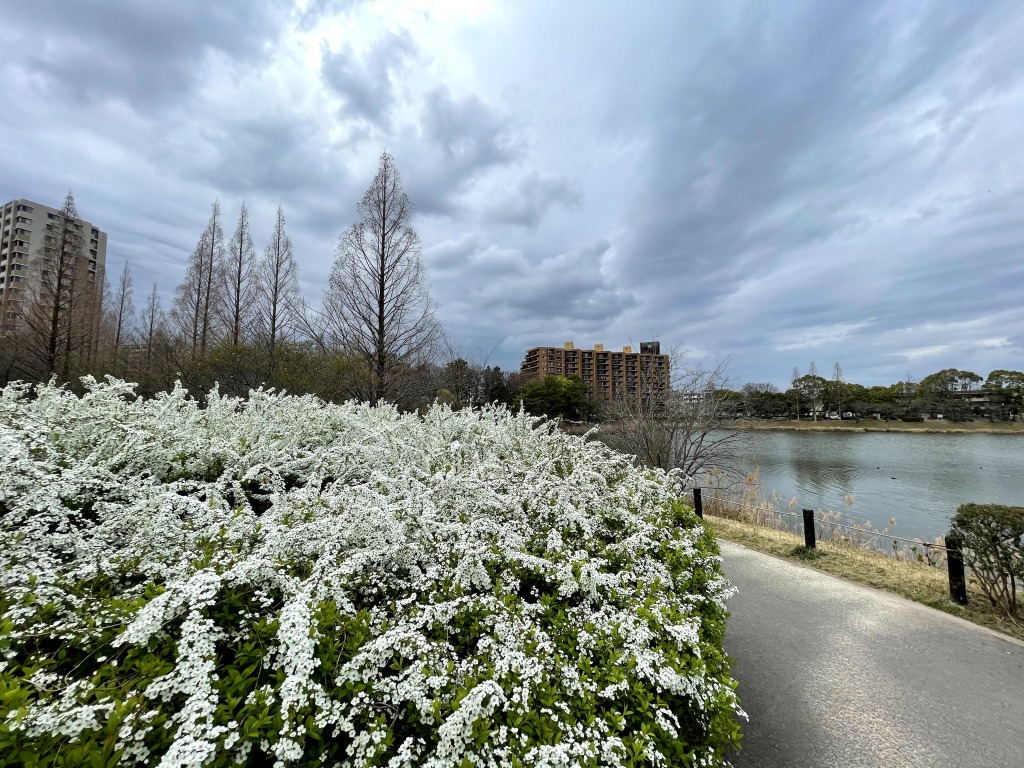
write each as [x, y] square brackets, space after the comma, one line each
[951, 394]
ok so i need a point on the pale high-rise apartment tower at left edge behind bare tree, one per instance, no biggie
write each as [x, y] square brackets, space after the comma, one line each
[27, 232]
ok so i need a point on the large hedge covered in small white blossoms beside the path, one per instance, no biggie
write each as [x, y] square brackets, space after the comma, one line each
[279, 581]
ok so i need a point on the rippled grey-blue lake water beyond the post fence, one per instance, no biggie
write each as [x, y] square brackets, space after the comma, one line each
[917, 479]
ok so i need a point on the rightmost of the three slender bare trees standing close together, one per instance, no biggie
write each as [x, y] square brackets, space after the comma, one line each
[279, 301]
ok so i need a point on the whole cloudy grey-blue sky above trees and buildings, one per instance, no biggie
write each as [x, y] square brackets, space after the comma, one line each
[770, 184]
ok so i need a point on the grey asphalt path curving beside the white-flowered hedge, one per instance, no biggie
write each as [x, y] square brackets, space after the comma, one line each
[835, 674]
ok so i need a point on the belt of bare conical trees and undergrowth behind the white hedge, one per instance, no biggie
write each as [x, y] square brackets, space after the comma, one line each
[238, 318]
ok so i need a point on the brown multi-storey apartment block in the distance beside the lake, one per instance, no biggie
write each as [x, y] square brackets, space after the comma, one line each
[607, 373]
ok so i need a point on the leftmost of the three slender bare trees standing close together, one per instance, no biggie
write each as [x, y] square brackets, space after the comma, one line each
[194, 303]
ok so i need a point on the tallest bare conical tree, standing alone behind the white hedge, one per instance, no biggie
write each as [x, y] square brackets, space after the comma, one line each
[377, 305]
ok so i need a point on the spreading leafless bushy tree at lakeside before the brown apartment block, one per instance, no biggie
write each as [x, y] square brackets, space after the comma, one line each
[682, 428]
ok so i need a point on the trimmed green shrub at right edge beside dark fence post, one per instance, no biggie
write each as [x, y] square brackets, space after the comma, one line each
[993, 538]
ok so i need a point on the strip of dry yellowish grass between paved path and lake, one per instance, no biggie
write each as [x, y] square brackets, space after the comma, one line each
[917, 581]
